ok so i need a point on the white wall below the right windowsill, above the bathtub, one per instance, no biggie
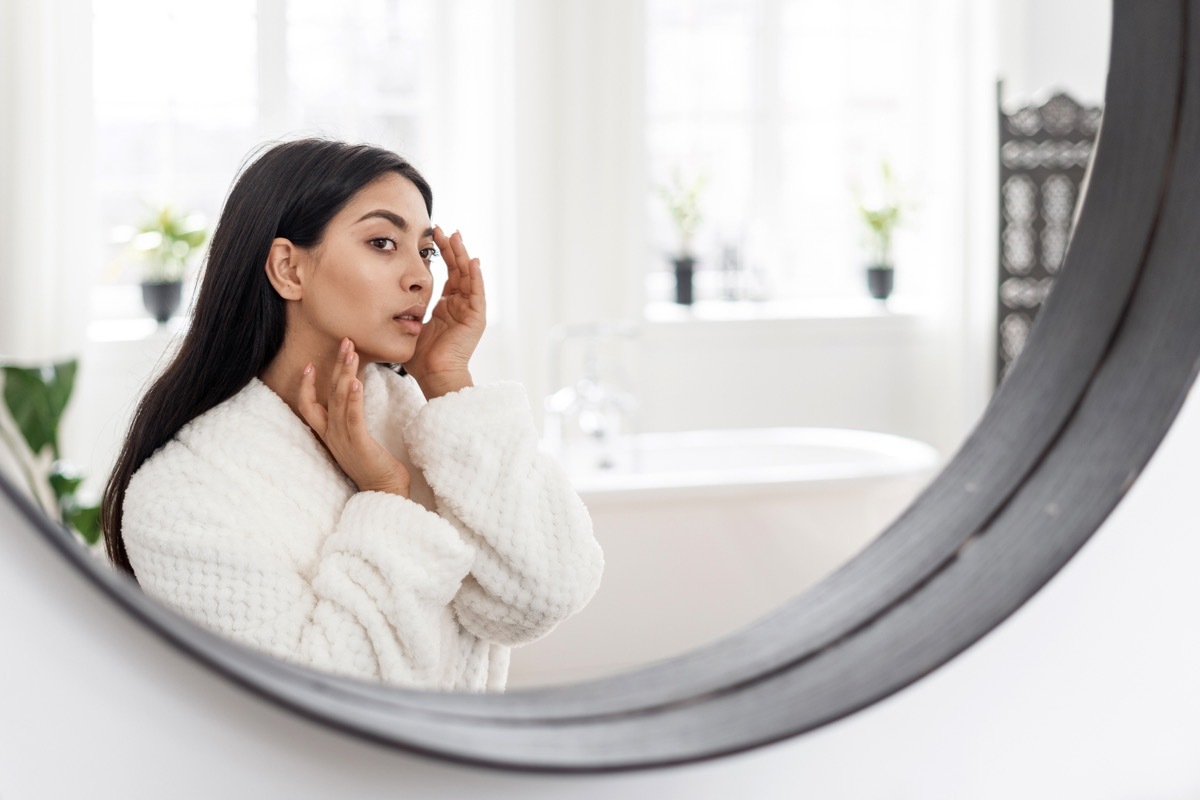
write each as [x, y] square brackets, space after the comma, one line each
[862, 372]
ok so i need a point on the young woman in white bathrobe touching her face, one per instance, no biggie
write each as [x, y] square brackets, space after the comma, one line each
[286, 484]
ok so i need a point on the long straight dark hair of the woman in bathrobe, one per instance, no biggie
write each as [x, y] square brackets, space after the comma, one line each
[291, 191]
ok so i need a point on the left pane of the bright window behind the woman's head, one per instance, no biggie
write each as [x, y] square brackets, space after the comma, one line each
[175, 105]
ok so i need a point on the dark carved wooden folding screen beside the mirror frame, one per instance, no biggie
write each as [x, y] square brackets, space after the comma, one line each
[1043, 158]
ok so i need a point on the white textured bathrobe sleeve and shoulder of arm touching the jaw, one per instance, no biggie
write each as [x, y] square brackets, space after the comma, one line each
[375, 604]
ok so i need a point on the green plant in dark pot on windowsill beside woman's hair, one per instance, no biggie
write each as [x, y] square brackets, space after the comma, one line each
[166, 244]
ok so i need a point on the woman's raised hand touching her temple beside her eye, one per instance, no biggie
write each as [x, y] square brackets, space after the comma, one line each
[448, 340]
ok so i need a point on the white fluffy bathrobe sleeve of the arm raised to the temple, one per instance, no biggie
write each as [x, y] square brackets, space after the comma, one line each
[537, 561]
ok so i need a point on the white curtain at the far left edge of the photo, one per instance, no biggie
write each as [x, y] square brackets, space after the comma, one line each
[46, 220]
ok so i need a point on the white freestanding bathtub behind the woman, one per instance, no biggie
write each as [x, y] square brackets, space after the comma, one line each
[705, 532]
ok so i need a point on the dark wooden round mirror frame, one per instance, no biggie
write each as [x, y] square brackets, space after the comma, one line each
[1103, 376]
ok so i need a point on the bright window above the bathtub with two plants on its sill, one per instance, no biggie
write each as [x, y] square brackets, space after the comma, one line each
[787, 109]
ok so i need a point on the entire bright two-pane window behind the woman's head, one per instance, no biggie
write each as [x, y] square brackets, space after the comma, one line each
[183, 92]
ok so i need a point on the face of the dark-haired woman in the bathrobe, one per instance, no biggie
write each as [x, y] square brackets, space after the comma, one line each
[369, 279]
